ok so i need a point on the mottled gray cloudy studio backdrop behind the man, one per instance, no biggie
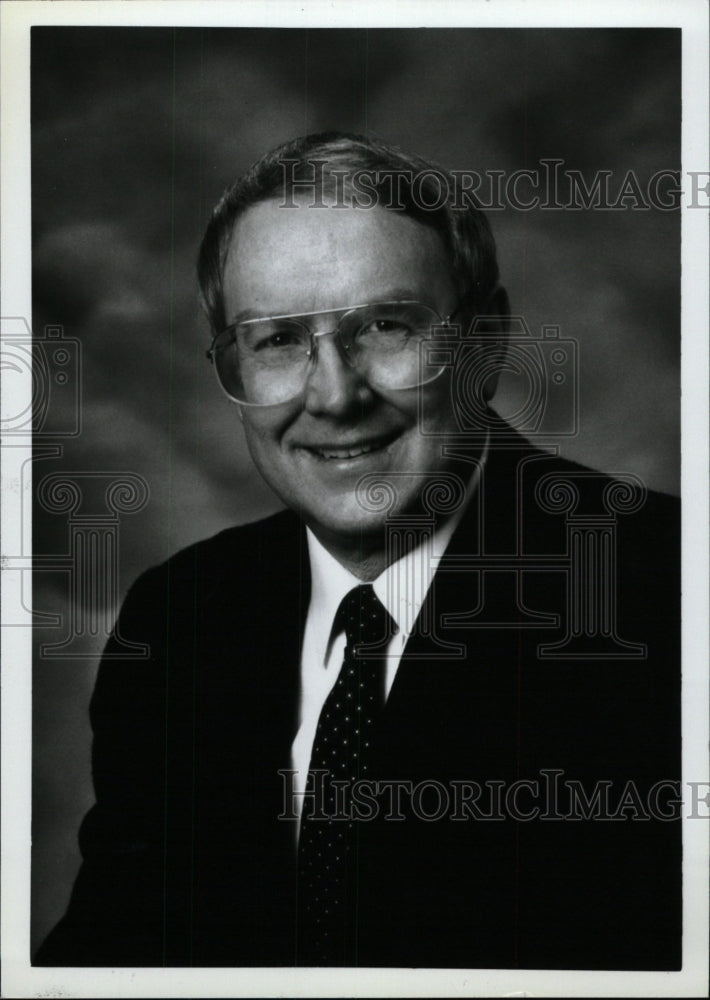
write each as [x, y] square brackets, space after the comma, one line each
[136, 132]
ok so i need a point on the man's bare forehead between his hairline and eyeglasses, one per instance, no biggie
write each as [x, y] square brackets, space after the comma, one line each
[304, 259]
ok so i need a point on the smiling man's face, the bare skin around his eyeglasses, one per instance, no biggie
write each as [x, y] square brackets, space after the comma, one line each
[313, 450]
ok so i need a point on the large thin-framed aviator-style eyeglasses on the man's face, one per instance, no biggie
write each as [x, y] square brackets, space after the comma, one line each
[267, 361]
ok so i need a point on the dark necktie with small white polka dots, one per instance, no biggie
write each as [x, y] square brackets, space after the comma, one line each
[342, 748]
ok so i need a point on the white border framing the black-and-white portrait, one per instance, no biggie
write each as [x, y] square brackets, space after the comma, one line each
[19, 977]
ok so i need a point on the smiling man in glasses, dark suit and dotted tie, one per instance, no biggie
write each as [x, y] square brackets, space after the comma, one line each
[429, 715]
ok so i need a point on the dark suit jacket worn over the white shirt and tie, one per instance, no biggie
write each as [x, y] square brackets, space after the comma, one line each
[185, 861]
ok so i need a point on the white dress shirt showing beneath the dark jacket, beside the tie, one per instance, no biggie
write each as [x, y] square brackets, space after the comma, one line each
[401, 587]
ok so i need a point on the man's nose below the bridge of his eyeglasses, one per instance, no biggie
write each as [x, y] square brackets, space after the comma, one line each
[334, 388]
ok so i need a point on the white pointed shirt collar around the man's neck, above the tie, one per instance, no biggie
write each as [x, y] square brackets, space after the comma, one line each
[401, 587]
